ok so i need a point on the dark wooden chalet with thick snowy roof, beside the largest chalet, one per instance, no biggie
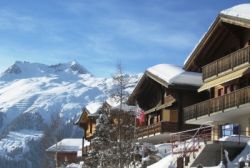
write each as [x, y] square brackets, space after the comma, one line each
[161, 93]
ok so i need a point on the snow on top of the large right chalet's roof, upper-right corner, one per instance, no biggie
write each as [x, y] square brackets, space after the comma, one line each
[240, 11]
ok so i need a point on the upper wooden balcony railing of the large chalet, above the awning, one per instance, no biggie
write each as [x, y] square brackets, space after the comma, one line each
[231, 61]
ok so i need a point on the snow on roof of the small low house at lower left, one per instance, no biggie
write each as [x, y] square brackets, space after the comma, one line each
[68, 145]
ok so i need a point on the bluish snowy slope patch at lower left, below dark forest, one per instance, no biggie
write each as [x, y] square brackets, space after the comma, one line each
[15, 144]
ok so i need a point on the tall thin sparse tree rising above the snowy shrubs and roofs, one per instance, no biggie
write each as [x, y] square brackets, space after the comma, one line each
[126, 120]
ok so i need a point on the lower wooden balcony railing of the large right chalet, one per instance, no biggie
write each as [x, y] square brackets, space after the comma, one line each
[233, 99]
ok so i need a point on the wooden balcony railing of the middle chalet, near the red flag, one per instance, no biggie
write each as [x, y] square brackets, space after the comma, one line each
[160, 127]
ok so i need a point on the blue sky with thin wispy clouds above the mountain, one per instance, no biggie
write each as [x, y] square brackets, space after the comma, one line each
[100, 33]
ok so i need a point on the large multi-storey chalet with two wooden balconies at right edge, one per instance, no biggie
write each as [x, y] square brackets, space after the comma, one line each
[223, 58]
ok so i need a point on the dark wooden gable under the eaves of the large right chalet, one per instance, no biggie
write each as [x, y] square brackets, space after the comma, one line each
[226, 35]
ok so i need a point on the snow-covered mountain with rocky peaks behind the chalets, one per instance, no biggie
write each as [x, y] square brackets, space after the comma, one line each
[31, 93]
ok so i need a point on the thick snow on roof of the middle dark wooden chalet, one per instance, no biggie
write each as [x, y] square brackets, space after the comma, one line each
[175, 75]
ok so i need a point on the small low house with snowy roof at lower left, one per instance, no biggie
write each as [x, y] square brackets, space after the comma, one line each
[66, 151]
